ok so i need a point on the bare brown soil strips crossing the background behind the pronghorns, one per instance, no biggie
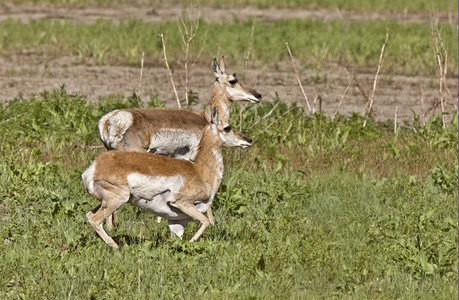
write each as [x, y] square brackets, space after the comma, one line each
[29, 74]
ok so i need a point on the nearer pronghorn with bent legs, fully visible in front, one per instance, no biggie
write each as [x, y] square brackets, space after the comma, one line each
[175, 189]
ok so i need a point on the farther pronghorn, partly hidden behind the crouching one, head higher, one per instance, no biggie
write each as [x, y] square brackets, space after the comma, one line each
[176, 132]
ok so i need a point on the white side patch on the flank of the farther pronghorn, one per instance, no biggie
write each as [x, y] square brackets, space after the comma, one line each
[178, 143]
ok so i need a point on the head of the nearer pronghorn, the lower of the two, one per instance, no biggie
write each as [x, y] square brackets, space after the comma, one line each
[229, 136]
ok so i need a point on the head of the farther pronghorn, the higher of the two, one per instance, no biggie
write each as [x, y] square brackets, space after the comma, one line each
[231, 87]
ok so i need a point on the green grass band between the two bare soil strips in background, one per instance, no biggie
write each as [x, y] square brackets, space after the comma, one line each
[314, 43]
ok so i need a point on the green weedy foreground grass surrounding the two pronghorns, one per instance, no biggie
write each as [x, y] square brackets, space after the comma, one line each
[315, 209]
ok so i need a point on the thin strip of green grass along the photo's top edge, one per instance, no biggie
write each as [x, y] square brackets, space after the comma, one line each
[356, 5]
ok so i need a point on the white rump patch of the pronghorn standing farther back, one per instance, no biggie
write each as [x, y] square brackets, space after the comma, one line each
[113, 126]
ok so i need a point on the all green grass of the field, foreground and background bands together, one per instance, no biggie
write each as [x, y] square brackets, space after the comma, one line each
[317, 208]
